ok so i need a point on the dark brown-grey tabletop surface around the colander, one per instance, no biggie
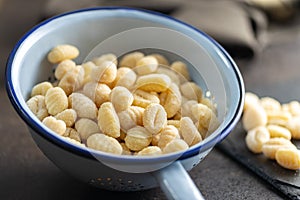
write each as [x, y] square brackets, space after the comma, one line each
[25, 173]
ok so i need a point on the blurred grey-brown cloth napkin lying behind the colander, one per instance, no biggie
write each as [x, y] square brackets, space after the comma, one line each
[237, 27]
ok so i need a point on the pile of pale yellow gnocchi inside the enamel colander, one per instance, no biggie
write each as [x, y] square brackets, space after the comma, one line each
[134, 105]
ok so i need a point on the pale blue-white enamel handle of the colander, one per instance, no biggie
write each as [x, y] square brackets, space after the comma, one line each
[176, 183]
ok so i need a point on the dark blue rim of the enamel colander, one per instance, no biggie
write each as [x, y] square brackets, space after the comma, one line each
[86, 153]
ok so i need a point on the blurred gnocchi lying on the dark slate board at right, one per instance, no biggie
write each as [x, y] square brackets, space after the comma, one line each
[271, 127]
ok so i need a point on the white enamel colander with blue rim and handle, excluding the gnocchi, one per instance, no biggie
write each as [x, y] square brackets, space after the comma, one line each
[120, 30]
